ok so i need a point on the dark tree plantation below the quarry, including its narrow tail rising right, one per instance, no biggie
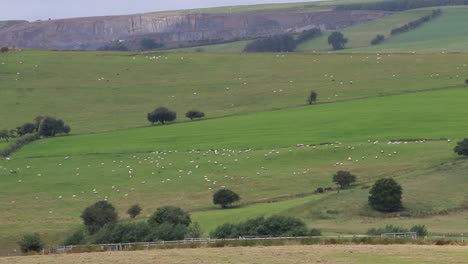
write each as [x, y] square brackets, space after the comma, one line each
[283, 42]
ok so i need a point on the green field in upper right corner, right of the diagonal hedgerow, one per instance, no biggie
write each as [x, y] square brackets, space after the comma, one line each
[447, 33]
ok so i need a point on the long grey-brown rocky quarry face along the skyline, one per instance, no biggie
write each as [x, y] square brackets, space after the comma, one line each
[172, 29]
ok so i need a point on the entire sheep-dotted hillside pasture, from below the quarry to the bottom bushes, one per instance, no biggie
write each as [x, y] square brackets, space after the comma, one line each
[373, 112]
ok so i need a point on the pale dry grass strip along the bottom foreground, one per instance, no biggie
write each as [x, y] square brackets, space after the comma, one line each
[285, 254]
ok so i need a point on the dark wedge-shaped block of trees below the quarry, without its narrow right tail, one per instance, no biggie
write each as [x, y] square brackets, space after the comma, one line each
[279, 43]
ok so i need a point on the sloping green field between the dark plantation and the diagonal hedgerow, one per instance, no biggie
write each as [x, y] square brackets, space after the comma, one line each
[362, 35]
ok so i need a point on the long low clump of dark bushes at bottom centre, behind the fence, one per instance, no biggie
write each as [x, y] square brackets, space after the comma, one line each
[273, 226]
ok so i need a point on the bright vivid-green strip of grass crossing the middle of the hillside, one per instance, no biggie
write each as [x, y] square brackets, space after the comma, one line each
[410, 116]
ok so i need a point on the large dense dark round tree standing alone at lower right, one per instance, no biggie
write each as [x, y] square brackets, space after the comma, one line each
[385, 196]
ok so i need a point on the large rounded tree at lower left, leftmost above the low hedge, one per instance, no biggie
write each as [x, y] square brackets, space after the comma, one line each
[98, 215]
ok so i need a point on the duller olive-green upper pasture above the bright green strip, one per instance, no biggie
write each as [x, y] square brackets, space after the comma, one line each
[218, 84]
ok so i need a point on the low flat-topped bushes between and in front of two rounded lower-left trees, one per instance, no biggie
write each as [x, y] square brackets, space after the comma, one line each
[123, 233]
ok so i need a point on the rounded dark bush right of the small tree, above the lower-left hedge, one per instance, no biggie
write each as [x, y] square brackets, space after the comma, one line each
[170, 214]
